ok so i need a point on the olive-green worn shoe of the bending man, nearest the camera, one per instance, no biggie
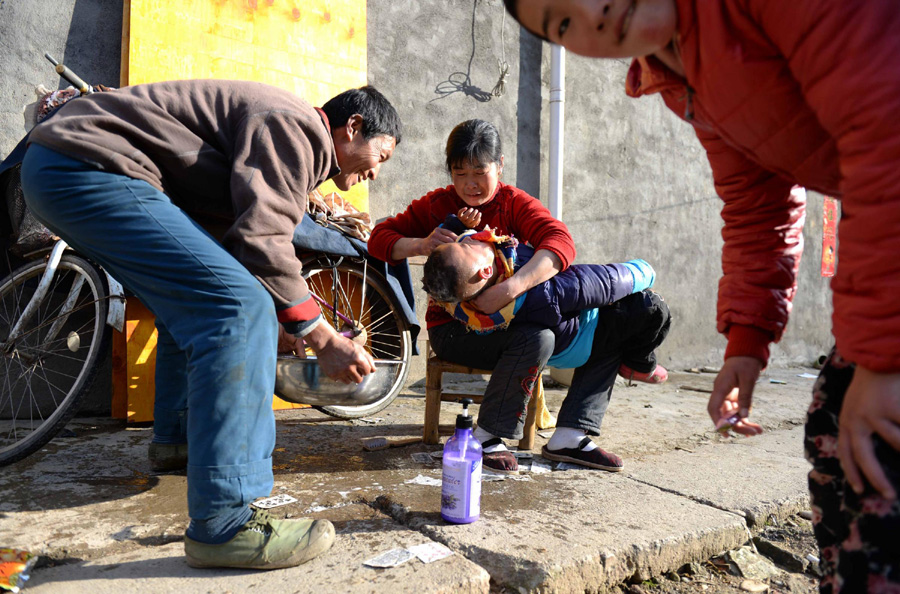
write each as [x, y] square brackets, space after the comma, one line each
[265, 543]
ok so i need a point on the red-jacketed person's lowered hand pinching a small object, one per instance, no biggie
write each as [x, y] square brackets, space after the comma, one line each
[732, 395]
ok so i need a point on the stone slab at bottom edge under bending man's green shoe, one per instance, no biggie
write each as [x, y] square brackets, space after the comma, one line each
[362, 533]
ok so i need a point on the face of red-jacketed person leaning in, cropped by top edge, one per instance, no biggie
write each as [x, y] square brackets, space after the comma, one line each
[600, 28]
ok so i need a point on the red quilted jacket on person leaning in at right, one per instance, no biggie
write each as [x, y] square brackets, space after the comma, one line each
[796, 92]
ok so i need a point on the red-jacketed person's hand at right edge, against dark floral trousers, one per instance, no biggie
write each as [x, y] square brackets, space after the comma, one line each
[871, 406]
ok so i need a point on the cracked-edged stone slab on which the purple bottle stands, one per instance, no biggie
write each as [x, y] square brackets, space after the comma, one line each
[573, 531]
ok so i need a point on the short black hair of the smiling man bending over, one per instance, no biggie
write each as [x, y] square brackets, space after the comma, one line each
[379, 116]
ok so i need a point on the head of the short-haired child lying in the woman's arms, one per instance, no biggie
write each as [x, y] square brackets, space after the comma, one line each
[459, 271]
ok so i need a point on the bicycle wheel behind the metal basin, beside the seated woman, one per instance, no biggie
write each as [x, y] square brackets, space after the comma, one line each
[385, 333]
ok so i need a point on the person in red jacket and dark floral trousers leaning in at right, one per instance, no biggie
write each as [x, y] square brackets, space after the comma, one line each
[784, 93]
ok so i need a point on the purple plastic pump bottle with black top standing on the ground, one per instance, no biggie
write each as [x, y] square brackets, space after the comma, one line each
[461, 480]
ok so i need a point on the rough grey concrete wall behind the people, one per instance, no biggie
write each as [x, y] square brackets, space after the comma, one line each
[637, 183]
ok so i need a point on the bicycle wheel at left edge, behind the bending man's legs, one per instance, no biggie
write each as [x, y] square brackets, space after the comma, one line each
[49, 368]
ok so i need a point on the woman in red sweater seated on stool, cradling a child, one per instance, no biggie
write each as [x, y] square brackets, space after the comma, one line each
[518, 355]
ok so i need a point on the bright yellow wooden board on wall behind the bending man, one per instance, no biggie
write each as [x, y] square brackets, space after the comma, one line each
[315, 48]
